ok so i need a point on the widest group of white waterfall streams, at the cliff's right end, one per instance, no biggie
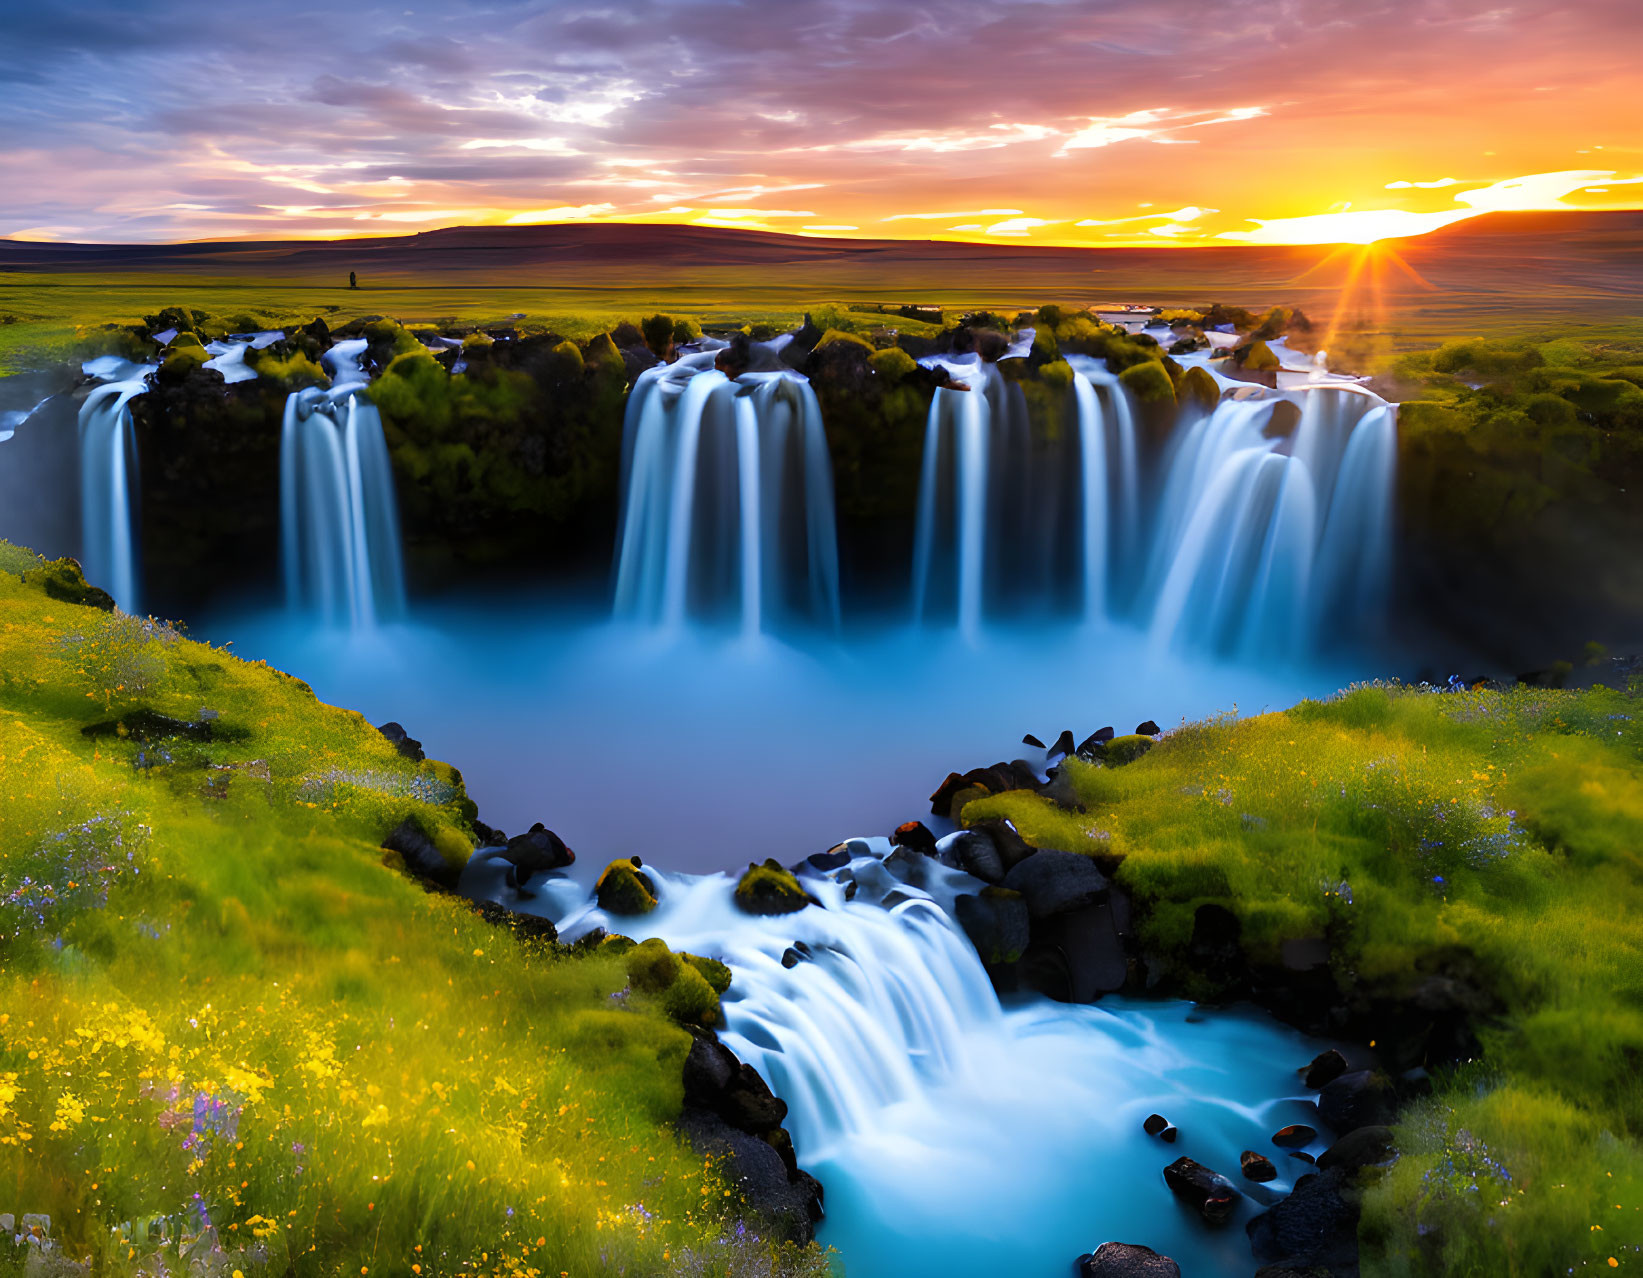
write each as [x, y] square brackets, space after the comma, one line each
[1230, 538]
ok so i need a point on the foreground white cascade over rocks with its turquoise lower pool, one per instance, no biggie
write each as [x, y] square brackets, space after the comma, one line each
[957, 1136]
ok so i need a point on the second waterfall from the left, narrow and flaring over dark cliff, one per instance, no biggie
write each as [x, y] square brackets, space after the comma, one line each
[339, 518]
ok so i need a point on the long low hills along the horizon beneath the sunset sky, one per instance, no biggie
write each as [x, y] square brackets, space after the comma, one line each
[1568, 264]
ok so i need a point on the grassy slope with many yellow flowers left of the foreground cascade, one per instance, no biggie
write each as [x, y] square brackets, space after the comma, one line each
[231, 1034]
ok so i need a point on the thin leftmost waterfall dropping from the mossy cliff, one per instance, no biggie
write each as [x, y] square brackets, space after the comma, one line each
[109, 479]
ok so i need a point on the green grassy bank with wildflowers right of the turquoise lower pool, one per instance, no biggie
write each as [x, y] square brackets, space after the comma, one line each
[1493, 834]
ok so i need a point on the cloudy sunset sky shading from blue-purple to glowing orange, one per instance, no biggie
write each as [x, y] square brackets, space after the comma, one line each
[1100, 122]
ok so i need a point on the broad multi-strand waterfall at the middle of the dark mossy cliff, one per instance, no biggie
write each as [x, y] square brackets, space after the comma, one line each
[727, 500]
